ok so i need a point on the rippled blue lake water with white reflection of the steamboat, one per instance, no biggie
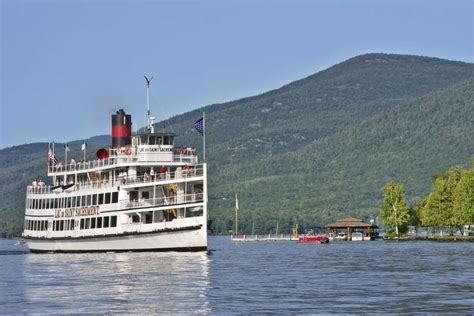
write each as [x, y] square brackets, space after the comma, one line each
[245, 278]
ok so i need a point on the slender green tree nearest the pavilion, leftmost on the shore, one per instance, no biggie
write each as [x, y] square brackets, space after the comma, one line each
[394, 211]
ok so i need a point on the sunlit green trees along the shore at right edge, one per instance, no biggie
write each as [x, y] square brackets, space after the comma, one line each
[445, 214]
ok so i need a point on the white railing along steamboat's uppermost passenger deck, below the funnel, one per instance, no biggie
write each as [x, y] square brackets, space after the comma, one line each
[112, 161]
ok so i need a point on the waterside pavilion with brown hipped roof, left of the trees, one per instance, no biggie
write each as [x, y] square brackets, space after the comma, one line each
[344, 228]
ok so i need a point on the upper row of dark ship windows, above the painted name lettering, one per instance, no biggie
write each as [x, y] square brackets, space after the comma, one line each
[74, 201]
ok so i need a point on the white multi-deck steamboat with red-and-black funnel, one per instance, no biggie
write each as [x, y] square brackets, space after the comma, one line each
[141, 194]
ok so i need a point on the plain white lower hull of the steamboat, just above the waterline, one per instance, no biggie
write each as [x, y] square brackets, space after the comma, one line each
[192, 239]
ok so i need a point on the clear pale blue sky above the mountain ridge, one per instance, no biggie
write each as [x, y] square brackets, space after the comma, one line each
[66, 66]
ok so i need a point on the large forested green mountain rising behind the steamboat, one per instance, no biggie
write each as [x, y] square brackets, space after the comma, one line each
[316, 149]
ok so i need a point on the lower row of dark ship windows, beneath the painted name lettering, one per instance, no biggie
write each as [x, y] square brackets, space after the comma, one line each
[68, 224]
